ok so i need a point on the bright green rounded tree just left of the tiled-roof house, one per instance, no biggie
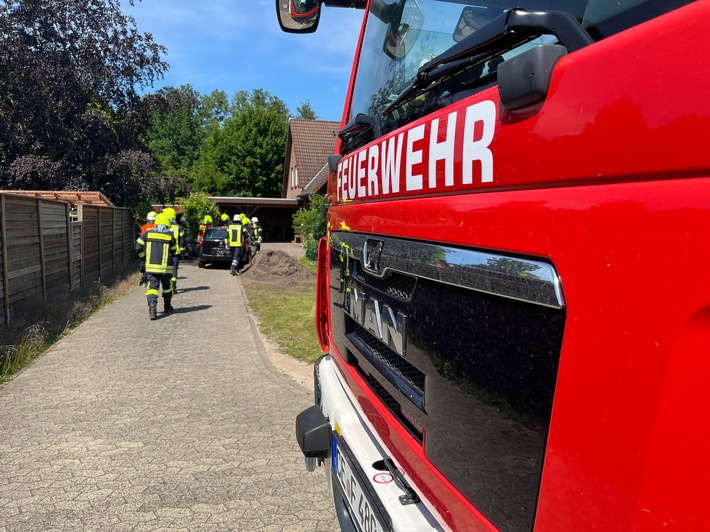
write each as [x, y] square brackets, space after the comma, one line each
[246, 154]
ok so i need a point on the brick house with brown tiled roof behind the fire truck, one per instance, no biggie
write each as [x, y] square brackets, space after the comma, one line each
[308, 146]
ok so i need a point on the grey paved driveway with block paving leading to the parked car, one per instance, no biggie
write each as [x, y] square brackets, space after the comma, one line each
[181, 423]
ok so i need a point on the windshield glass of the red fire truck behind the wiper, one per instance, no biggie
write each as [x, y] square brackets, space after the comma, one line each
[403, 35]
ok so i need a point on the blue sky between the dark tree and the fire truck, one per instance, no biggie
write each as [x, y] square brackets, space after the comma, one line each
[235, 45]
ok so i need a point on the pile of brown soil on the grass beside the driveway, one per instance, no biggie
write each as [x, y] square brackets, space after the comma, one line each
[279, 268]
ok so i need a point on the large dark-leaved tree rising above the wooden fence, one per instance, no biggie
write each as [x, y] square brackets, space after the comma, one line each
[70, 115]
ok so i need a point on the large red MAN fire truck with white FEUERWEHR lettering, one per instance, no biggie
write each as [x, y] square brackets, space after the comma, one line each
[513, 293]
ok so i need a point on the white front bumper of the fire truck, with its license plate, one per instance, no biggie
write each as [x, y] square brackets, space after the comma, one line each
[335, 433]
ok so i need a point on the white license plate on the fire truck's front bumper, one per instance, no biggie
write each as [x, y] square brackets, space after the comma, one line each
[364, 507]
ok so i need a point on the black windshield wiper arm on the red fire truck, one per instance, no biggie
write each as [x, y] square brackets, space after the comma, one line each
[505, 32]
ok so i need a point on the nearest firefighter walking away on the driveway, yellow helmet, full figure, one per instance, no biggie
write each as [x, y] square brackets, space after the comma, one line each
[156, 248]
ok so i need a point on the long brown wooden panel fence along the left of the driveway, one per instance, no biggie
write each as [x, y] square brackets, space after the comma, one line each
[42, 251]
